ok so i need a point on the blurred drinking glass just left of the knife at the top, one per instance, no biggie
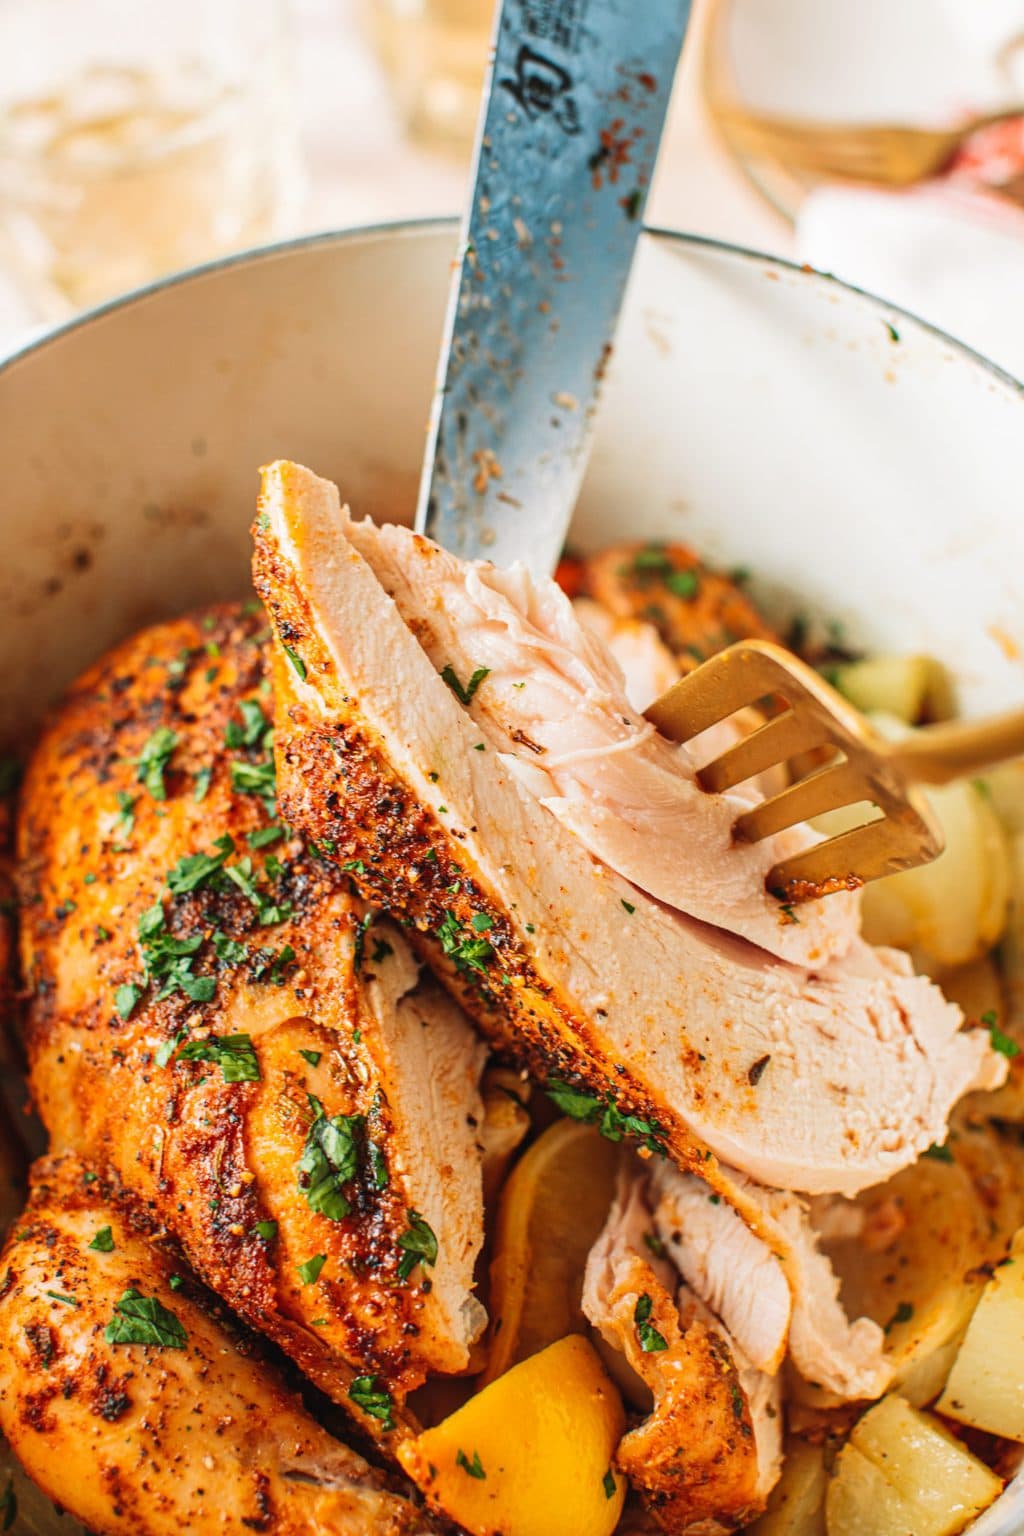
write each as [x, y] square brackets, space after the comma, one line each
[437, 55]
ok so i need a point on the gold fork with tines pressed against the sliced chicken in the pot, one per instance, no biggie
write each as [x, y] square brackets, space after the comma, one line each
[864, 769]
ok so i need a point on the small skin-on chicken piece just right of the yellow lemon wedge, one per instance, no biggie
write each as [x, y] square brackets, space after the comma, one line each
[710, 1451]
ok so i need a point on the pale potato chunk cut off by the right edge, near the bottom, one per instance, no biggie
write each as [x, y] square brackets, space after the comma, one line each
[986, 1385]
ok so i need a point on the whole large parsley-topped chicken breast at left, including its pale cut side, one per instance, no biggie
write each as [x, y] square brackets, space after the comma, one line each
[239, 1039]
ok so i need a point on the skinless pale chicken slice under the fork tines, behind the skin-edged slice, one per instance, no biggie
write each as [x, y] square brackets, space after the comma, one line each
[555, 701]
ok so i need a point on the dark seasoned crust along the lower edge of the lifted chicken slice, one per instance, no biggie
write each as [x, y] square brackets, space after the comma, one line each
[339, 784]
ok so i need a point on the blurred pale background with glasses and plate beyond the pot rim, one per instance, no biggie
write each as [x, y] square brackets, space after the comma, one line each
[882, 142]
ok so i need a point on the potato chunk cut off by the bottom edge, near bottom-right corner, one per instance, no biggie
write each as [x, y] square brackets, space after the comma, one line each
[903, 1475]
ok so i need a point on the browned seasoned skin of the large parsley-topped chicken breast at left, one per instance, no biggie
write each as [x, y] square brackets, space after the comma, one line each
[214, 1157]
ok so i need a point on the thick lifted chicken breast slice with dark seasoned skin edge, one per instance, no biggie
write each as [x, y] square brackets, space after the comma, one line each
[822, 1082]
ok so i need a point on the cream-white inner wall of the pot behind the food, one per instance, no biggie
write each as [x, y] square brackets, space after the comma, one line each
[865, 468]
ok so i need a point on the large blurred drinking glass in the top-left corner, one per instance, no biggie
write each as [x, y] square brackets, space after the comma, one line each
[137, 139]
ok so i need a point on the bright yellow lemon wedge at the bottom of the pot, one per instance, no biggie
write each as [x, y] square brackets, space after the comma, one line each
[532, 1452]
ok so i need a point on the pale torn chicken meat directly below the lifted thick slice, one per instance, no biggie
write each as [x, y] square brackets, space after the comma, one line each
[770, 1285]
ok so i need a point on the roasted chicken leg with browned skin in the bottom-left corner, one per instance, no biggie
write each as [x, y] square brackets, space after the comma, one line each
[193, 1432]
